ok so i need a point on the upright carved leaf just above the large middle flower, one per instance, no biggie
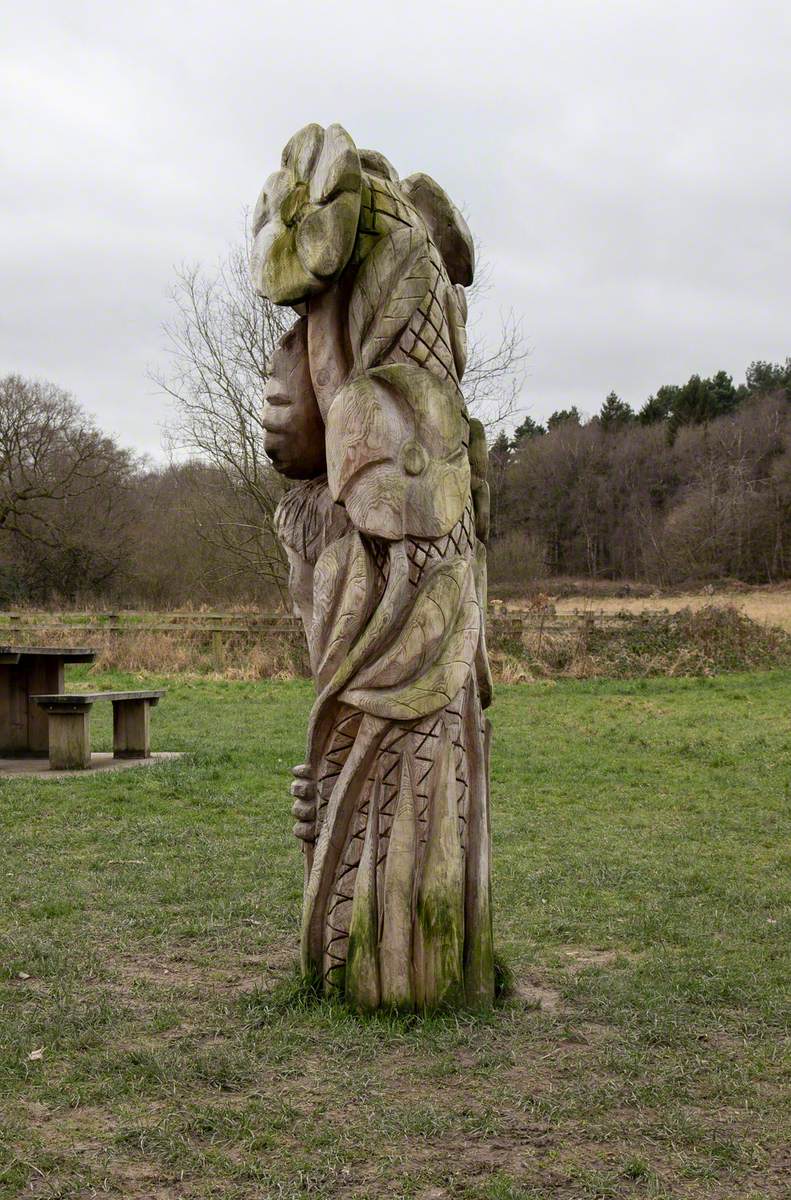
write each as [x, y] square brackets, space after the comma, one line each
[388, 290]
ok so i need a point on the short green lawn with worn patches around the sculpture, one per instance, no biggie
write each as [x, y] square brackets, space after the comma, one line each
[154, 1042]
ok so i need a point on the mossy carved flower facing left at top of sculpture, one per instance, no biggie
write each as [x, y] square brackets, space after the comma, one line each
[307, 218]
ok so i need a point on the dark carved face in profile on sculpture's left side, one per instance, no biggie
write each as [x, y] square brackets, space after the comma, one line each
[295, 439]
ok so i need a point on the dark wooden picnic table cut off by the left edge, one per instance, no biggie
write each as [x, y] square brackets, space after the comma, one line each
[27, 671]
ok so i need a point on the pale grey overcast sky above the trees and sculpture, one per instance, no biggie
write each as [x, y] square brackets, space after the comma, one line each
[627, 167]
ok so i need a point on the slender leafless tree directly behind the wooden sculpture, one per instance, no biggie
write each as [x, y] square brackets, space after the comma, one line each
[221, 341]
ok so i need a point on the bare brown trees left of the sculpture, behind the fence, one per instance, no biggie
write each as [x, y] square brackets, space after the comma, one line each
[83, 519]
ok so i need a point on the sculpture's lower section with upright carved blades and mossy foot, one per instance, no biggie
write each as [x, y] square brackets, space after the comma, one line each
[398, 910]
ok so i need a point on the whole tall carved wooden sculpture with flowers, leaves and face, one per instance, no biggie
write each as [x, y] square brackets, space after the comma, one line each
[386, 537]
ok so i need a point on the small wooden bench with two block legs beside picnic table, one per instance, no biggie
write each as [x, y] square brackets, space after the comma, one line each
[70, 725]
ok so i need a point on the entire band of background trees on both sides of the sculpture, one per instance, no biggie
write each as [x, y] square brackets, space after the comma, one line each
[694, 485]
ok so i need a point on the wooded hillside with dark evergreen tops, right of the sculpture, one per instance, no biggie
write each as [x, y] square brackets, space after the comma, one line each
[696, 485]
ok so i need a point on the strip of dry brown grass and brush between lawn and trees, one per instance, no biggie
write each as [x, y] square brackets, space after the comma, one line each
[568, 638]
